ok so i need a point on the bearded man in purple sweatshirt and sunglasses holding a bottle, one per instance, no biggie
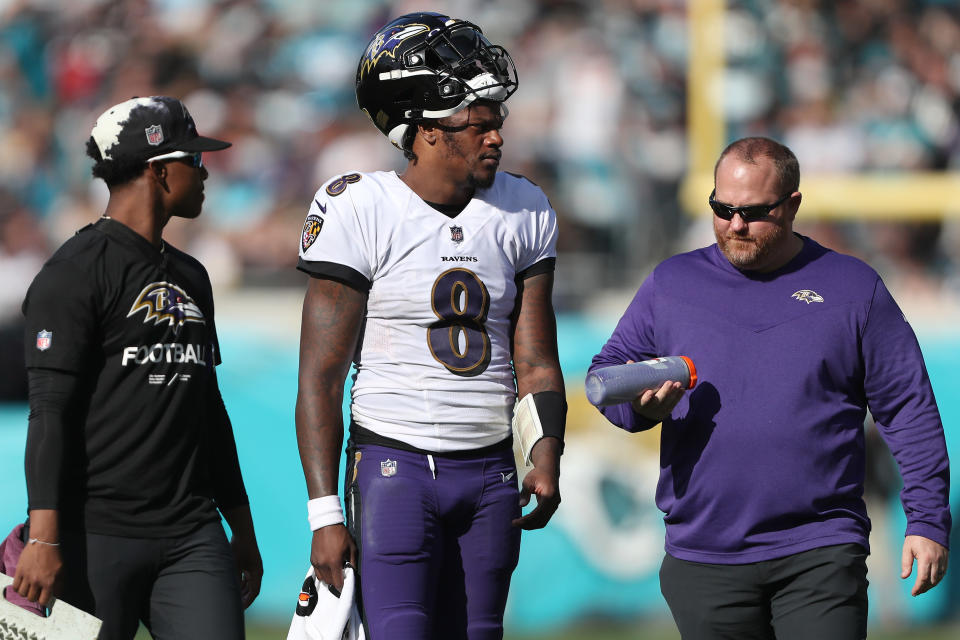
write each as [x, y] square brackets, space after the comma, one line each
[762, 463]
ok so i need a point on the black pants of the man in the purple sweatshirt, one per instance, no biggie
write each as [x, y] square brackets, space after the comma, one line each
[819, 594]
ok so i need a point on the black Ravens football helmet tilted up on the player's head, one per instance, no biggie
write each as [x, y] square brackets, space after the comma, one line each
[427, 65]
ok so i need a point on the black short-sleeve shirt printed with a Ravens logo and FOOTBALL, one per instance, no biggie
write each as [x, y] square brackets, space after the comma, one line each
[135, 323]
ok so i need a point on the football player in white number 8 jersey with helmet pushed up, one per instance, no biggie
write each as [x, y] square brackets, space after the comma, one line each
[436, 285]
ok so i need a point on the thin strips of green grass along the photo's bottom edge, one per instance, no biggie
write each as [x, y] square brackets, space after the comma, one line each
[635, 631]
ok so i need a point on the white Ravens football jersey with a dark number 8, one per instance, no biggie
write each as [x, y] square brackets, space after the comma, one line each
[433, 368]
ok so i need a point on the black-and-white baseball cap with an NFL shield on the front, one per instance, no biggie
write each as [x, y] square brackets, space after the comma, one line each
[143, 128]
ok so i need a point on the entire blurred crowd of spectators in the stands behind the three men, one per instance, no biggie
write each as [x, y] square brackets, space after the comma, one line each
[599, 120]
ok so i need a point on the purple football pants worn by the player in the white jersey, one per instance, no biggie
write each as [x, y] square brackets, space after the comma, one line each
[436, 545]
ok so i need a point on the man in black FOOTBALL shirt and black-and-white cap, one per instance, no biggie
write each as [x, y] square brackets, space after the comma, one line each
[130, 453]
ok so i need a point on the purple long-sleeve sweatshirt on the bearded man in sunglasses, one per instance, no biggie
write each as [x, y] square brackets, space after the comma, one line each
[765, 456]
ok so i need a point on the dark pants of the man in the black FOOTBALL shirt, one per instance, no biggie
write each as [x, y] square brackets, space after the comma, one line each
[181, 588]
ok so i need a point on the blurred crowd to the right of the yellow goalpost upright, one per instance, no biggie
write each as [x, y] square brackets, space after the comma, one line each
[858, 86]
